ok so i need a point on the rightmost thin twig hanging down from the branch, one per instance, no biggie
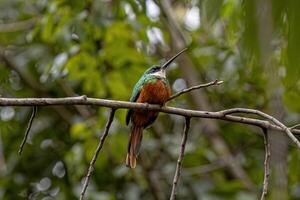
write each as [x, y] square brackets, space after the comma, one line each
[266, 165]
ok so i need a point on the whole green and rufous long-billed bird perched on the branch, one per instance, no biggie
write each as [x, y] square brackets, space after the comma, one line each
[153, 88]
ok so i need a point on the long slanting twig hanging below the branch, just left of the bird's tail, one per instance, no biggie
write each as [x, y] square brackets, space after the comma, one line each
[99, 147]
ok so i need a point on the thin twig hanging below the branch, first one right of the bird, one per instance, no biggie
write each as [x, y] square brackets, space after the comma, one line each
[180, 157]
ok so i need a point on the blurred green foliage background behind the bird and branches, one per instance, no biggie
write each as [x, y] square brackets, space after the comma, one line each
[58, 48]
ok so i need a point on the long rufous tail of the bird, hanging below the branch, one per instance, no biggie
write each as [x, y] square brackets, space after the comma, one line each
[134, 145]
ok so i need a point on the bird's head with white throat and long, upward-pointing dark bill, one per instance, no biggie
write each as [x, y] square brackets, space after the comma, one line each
[160, 71]
